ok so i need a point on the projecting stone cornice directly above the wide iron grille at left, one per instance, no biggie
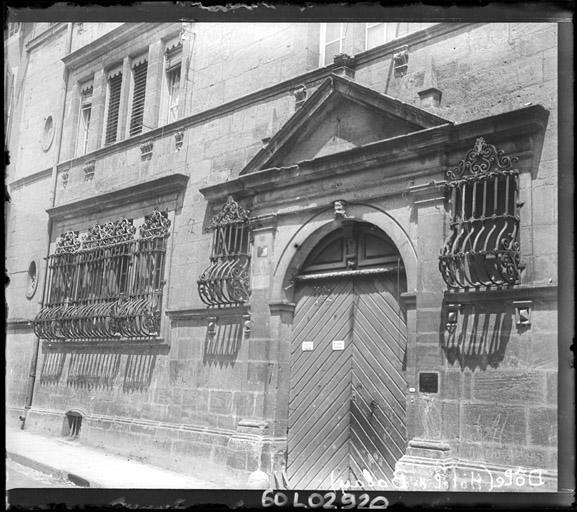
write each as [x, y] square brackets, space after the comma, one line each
[146, 191]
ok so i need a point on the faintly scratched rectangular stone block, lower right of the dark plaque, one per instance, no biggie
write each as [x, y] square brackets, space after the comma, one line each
[493, 423]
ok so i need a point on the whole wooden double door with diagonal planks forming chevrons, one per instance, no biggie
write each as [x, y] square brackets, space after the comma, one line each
[347, 408]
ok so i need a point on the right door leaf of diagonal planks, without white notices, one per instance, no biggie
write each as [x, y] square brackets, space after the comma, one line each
[378, 406]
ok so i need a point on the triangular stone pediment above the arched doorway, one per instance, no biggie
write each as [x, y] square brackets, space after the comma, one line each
[340, 116]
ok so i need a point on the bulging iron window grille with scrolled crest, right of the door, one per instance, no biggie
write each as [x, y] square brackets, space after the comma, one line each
[482, 248]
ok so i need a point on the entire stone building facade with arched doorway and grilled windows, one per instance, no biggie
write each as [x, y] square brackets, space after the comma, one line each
[327, 252]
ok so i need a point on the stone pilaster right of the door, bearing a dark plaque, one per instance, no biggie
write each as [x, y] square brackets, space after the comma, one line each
[428, 454]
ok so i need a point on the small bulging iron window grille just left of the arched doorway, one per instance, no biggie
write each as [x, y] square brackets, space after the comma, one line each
[226, 282]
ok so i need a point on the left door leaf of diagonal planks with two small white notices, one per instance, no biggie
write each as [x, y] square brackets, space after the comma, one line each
[319, 396]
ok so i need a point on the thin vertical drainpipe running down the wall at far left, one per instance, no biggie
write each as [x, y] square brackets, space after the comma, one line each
[36, 352]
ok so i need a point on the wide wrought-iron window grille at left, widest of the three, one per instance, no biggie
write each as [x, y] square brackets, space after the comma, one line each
[106, 284]
